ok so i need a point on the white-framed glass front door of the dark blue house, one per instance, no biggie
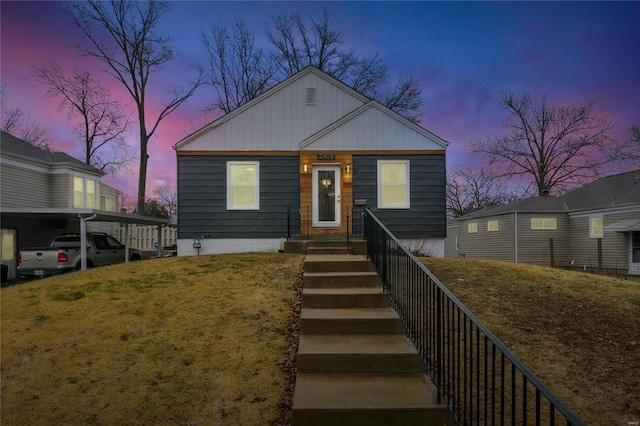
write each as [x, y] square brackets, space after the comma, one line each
[326, 196]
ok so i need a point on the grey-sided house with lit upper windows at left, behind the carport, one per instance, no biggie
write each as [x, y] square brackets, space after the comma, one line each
[44, 194]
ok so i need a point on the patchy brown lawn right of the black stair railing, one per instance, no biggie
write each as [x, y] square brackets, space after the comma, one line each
[578, 332]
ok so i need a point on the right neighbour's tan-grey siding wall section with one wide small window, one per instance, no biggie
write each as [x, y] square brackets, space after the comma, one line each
[534, 244]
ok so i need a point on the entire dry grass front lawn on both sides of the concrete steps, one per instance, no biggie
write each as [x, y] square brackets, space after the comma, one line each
[204, 340]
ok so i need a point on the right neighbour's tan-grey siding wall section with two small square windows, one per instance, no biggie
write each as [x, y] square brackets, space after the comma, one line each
[494, 245]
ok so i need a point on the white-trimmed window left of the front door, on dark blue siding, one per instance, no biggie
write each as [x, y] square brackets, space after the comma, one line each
[243, 185]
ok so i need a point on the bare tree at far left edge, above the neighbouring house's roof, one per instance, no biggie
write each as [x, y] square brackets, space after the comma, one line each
[14, 122]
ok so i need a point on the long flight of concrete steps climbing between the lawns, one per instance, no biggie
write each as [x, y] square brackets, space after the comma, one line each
[354, 364]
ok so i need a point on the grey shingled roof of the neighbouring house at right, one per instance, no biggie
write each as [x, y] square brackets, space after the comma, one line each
[612, 191]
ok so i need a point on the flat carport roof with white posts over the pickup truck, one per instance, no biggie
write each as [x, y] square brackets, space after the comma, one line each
[85, 215]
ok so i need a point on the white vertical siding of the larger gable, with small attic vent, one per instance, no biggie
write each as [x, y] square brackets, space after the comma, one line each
[279, 121]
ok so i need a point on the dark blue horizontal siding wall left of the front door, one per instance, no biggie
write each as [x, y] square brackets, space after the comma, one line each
[202, 197]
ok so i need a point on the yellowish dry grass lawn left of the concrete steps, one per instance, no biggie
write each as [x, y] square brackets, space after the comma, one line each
[177, 341]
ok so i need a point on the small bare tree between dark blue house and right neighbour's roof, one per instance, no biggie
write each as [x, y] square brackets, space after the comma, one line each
[469, 190]
